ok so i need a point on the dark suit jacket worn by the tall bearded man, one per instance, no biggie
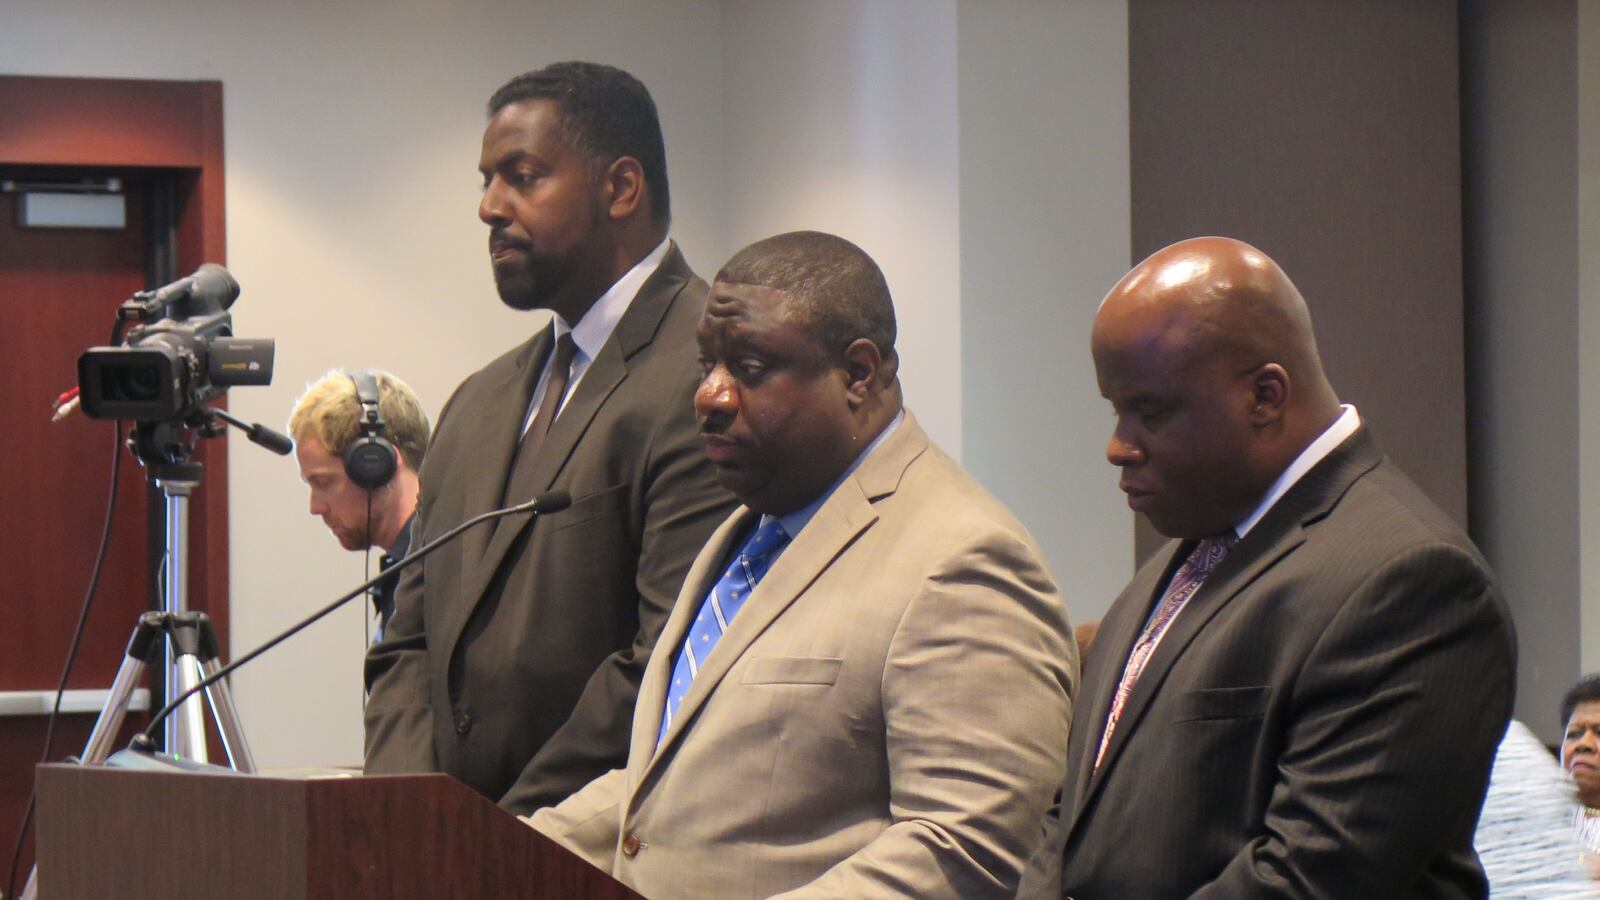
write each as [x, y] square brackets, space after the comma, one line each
[514, 654]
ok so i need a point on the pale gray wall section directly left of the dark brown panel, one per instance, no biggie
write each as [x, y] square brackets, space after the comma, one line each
[1046, 233]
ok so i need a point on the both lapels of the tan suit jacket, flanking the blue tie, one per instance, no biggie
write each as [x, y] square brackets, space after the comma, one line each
[838, 524]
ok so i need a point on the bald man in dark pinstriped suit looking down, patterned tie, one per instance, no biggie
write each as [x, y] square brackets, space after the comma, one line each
[1302, 694]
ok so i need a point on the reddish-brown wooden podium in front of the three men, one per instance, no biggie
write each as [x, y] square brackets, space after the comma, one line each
[158, 835]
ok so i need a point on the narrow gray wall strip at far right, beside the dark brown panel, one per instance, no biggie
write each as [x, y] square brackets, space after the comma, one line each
[1519, 73]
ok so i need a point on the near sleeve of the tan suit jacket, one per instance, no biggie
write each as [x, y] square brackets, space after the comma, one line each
[978, 701]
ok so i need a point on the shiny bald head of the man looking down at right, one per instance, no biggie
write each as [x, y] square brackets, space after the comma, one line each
[1207, 353]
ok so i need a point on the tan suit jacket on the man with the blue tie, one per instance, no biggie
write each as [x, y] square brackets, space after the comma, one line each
[887, 717]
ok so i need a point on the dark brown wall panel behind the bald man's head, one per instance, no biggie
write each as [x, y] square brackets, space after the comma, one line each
[1329, 137]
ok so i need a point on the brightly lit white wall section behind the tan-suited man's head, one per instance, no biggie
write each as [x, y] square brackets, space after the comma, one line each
[841, 116]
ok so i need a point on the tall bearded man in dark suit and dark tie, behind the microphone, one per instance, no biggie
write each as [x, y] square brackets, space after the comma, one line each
[514, 654]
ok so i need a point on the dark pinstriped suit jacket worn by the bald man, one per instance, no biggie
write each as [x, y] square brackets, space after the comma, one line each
[1319, 721]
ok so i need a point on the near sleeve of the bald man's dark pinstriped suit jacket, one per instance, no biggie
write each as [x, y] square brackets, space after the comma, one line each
[1398, 713]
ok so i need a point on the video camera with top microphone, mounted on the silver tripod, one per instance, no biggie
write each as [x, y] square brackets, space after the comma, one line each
[169, 368]
